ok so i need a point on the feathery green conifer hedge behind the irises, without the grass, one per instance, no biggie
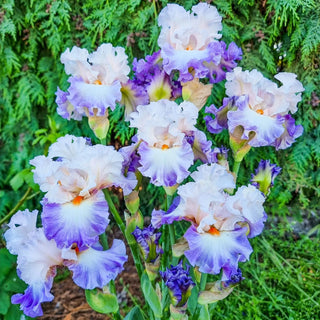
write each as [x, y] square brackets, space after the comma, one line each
[274, 36]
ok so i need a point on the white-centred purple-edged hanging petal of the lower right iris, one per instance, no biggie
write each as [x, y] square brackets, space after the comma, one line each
[212, 252]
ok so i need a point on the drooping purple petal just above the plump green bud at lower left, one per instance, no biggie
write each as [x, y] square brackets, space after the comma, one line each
[96, 268]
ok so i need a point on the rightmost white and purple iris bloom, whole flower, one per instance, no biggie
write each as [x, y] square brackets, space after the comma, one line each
[257, 110]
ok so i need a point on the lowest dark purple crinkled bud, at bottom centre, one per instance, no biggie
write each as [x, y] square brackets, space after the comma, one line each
[179, 282]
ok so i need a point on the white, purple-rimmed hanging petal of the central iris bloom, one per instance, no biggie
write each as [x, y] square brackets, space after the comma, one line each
[165, 167]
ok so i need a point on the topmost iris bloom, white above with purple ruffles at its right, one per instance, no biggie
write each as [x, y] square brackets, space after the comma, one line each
[189, 43]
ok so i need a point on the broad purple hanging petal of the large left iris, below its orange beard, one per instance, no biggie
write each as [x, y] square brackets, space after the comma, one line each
[79, 223]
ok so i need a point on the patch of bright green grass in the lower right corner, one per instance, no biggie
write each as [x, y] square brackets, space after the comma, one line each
[282, 269]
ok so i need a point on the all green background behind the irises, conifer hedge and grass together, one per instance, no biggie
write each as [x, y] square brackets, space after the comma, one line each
[282, 277]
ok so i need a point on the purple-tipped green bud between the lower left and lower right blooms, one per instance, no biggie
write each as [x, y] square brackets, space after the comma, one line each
[148, 242]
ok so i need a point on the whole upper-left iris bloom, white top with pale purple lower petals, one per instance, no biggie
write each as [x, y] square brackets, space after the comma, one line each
[95, 82]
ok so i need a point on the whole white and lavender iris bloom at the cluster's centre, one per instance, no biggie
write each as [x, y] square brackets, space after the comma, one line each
[166, 135]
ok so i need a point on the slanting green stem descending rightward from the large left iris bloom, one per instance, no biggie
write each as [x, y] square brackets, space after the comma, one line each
[121, 225]
